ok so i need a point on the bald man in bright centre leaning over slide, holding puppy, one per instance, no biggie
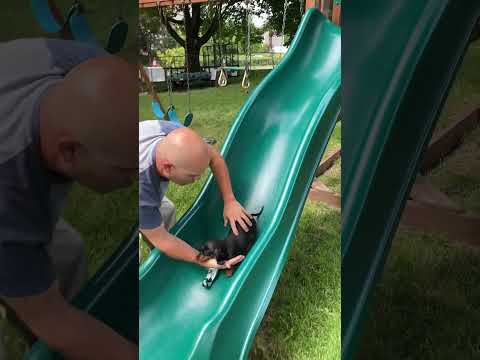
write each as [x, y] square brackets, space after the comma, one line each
[170, 152]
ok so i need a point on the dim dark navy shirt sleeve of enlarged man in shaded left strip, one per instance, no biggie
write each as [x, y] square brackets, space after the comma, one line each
[25, 228]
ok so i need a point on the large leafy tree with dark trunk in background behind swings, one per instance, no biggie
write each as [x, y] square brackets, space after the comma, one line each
[192, 26]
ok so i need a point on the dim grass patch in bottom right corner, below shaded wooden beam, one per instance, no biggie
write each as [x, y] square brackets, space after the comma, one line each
[427, 305]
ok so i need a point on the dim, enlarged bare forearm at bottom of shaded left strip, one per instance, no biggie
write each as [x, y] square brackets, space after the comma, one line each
[73, 333]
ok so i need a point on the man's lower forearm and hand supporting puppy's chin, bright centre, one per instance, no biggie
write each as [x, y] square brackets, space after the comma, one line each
[178, 249]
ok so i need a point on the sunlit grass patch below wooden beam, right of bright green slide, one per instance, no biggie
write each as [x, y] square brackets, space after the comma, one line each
[303, 318]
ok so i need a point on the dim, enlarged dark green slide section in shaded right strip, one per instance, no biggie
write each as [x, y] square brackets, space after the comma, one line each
[400, 58]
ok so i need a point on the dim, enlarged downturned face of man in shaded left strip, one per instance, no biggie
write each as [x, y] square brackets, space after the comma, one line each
[101, 173]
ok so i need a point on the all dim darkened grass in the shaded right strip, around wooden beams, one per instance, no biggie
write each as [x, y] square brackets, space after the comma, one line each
[427, 303]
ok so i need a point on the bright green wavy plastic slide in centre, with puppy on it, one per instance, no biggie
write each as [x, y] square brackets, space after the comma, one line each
[272, 152]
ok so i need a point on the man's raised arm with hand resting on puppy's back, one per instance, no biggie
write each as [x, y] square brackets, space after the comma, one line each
[233, 212]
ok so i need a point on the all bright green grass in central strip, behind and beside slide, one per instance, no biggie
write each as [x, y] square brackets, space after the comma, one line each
[303, 318]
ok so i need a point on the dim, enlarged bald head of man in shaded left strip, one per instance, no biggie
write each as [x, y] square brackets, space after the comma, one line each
[96, 107]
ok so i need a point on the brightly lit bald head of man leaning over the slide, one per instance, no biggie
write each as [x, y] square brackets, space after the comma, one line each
[186, 151]
